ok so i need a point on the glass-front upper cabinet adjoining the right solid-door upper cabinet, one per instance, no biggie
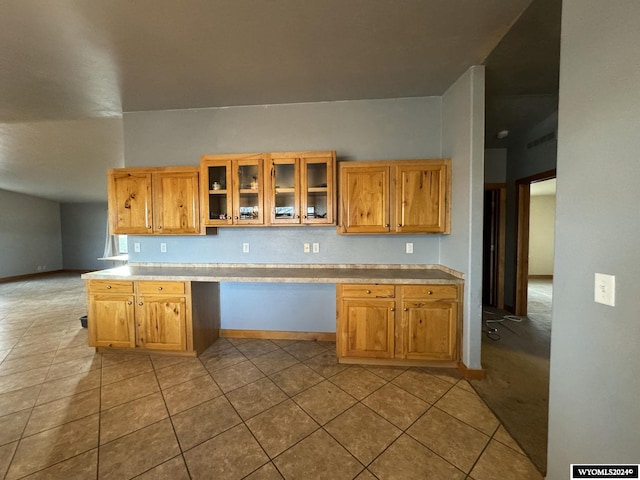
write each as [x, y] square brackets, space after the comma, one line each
[301, 188]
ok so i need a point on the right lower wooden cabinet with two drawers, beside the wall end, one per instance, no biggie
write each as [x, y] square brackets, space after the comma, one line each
[398, 323]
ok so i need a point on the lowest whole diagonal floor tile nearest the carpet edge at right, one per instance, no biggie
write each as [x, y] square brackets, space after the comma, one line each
[453, 440]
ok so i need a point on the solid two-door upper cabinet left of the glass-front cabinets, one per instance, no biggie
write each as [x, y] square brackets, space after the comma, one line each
[161, 200]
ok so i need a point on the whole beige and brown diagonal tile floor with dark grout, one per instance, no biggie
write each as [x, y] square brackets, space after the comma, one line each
[254, 409]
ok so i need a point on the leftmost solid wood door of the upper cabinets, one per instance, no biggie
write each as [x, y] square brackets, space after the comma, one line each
[130, 206]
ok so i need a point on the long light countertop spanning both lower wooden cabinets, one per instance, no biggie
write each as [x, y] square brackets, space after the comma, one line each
[282, 273]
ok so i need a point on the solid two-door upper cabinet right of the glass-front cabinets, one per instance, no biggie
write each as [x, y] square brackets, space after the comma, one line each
[397, 196]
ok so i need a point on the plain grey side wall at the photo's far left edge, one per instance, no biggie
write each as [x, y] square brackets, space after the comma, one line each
[30, 235]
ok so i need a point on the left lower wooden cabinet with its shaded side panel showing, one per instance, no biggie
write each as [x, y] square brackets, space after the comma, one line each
[153, 315]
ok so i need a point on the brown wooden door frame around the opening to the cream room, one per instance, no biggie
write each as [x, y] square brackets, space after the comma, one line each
[523, 194]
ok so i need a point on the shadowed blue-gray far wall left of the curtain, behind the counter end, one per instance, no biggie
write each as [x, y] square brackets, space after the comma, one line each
[83, 235]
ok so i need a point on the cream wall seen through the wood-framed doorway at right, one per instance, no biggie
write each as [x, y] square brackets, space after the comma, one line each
[542, 222]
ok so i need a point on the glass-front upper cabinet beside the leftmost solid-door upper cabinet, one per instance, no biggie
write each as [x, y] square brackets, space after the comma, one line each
[232, 189]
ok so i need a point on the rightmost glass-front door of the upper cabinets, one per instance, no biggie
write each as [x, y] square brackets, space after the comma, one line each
[317, 190]
